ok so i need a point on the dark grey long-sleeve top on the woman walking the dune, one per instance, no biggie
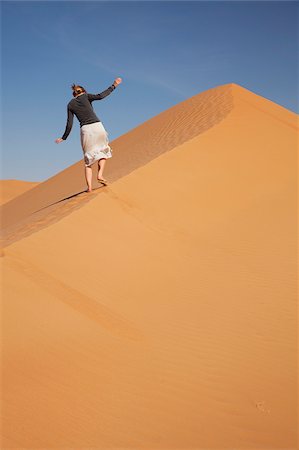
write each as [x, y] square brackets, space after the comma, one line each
[81, 106]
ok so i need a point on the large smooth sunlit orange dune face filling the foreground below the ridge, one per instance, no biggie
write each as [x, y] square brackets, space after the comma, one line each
[161, 314]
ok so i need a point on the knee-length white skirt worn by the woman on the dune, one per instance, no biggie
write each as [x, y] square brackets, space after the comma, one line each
[95, 143]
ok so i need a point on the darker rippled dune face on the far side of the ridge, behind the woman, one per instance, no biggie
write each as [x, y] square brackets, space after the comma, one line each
[58, 195]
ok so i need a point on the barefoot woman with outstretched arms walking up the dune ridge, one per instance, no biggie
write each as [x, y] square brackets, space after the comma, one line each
[94, 137]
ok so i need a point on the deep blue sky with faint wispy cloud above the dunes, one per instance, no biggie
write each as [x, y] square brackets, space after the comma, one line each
[165, 52]
